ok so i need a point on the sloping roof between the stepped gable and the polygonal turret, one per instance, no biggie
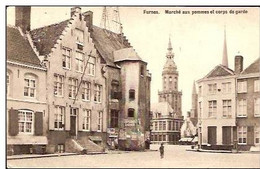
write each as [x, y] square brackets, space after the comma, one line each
[106, 42]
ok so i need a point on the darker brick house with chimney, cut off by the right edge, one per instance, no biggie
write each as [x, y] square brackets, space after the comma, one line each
[248, 104]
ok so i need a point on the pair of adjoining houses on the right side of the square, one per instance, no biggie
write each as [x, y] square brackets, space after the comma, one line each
[228, 106]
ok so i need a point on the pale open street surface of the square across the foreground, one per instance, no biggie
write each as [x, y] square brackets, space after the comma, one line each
[175, 156]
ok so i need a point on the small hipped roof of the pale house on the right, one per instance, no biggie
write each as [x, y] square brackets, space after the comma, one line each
[219, 71]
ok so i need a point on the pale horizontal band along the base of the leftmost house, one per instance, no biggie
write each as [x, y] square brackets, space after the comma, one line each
[27, 139]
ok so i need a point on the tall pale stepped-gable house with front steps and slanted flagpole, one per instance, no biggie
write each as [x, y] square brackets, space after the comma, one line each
[76, 85]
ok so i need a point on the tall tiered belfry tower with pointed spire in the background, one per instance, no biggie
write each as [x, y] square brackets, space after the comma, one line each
[170, 76]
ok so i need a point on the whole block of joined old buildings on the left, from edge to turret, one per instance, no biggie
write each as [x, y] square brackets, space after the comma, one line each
[70, 87]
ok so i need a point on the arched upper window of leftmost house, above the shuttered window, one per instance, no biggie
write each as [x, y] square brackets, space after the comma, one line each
[30, 86]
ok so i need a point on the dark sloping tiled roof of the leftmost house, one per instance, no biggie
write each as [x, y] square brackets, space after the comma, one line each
[19, 48]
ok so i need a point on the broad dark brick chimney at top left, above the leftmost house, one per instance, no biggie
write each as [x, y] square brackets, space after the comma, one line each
[23, 18]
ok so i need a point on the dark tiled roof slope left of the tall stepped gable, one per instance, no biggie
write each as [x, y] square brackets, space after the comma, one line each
[44, 38]
